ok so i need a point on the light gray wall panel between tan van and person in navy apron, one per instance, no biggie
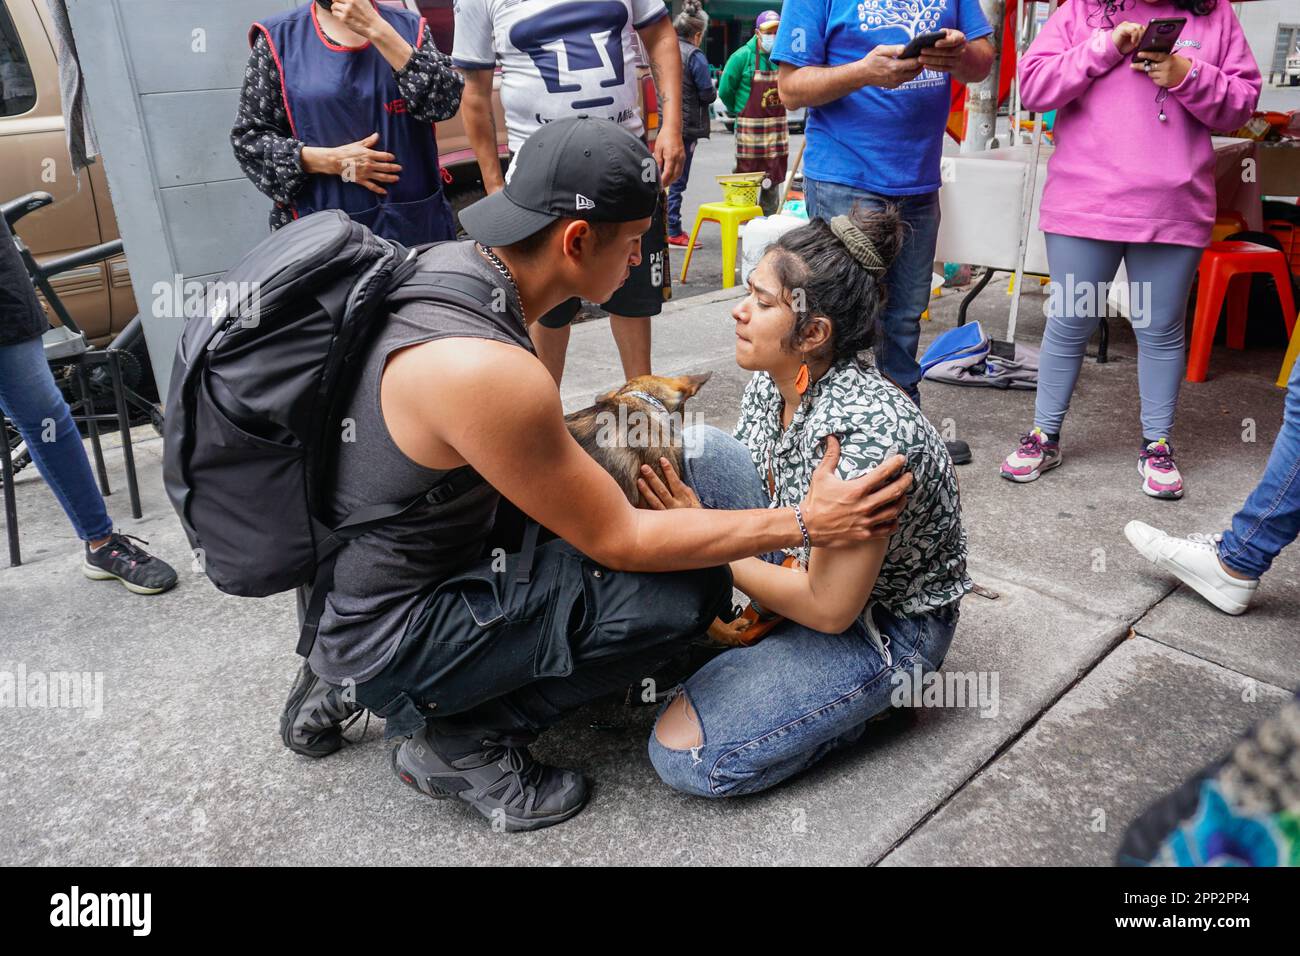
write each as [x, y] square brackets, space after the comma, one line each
[163, 109]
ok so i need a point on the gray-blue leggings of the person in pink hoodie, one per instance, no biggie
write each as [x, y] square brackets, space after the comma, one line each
[1160, 276]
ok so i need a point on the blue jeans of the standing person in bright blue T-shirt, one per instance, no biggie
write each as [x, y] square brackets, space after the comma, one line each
[908, 279]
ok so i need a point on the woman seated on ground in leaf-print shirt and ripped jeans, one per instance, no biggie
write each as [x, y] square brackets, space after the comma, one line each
[853, 617]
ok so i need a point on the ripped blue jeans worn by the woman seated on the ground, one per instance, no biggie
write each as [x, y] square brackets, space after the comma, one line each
[775, 710]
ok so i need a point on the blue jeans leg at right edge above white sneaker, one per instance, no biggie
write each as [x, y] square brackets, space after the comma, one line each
[1269, 521]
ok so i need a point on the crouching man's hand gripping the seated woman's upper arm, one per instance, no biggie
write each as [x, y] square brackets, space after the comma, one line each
[840, 513]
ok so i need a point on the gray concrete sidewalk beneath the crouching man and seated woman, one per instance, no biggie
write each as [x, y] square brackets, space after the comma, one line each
[1113, 685]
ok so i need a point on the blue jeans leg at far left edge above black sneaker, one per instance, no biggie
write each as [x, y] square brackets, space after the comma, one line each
[32, 400]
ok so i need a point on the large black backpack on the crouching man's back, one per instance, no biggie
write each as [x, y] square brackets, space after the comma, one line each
[254, 413]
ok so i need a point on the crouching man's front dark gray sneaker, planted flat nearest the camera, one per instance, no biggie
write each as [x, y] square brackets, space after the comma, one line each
[506, 785]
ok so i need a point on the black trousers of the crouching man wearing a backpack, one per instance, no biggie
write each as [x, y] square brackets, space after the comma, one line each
[496, 657]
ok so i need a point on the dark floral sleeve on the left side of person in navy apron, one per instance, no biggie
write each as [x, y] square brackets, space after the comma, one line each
[262, 137]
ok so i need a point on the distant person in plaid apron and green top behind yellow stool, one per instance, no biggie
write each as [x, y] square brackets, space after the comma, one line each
[762, 140]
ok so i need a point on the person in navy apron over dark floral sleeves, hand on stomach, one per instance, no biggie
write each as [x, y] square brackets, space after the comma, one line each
[337, 114]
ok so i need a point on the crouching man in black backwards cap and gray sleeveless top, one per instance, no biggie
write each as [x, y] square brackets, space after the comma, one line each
[471, 655]
